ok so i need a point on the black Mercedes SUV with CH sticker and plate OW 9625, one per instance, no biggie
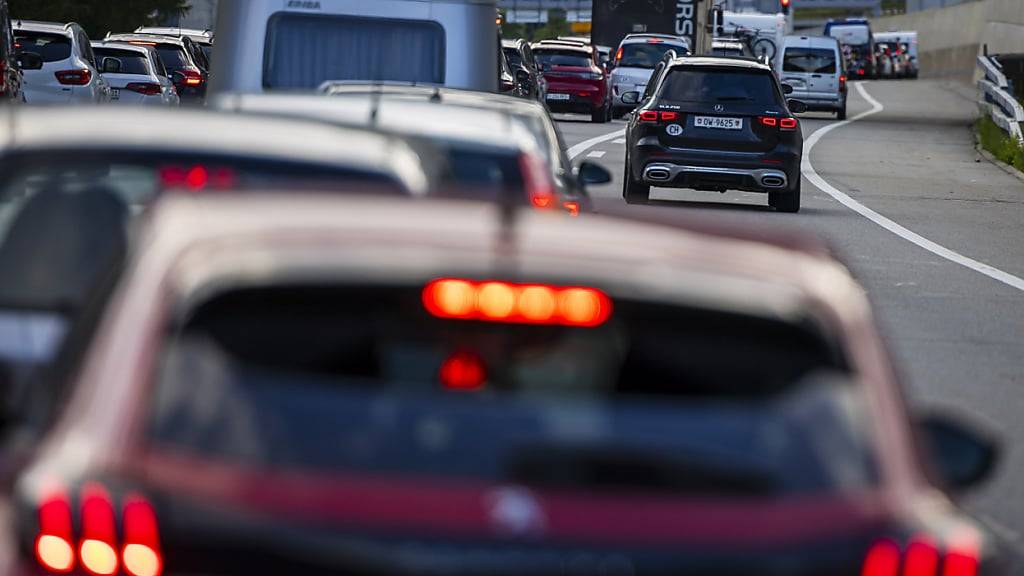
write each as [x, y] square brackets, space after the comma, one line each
[717, 125]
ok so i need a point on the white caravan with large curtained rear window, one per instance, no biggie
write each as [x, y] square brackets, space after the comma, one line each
[300, 45]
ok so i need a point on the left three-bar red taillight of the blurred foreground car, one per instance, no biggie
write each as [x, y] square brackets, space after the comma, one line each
[98, 546]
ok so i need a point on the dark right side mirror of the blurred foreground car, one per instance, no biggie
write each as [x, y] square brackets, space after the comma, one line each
[963, 457]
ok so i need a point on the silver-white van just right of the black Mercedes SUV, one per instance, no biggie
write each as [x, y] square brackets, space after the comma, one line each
[814, 67]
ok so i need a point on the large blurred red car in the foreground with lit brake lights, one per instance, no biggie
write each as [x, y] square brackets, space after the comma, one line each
[506, 396]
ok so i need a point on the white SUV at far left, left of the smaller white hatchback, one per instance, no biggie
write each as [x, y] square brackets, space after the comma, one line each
[70, 73]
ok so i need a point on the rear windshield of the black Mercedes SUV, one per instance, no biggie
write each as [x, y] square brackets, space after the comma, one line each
[719, 86]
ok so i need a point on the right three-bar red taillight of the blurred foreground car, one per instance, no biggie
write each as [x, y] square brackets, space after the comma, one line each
[922, 558]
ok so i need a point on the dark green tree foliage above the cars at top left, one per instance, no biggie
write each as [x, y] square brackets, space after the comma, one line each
[101, 17]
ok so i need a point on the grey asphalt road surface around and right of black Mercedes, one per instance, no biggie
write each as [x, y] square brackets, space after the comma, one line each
[934, 232]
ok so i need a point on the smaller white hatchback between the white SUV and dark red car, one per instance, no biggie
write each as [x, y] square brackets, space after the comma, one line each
[137, 74]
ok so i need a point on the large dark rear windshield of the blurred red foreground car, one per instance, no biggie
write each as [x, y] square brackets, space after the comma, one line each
[363, 379]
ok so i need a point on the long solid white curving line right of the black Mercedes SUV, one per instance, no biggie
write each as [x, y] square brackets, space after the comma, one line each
[808, 171]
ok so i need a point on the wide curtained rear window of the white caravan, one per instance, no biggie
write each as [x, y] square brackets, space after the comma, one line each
[306, 51]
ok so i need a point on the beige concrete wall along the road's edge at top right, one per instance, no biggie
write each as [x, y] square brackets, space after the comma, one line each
[951, 38]
